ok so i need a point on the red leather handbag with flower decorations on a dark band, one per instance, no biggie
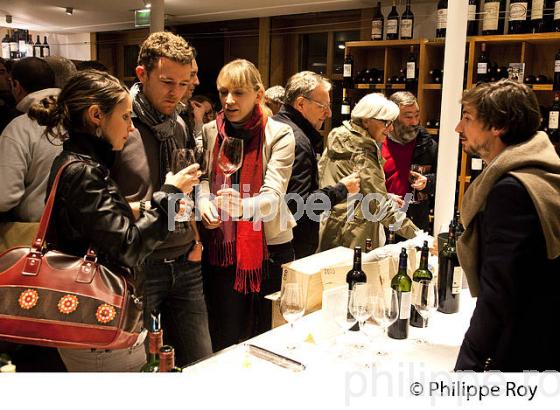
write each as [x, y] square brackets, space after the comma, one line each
[49, 298]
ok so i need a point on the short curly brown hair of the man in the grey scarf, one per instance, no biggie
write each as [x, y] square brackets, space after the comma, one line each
[165, 44]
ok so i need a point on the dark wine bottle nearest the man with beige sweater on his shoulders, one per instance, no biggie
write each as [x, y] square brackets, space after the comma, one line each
[450, 276]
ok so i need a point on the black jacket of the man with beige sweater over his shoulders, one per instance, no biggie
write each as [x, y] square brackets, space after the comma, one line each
[512, 327]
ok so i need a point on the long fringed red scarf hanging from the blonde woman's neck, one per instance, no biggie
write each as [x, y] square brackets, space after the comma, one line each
[246, 237]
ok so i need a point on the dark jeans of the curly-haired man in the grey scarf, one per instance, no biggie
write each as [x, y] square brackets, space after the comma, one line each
[174, 288]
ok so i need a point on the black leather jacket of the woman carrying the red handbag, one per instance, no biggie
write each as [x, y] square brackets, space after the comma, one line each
[90, 210]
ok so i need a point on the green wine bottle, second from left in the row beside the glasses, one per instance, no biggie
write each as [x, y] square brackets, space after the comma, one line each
[402, 284]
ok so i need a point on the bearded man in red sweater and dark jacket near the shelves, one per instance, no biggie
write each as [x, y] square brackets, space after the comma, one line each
[409, 144]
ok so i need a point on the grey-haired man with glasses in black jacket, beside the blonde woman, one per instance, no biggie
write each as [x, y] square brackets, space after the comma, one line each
[306, 107]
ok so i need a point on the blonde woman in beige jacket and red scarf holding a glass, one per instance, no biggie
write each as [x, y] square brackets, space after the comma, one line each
[249, 233]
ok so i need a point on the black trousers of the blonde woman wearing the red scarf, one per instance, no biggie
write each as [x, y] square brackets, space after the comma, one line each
[235, 316]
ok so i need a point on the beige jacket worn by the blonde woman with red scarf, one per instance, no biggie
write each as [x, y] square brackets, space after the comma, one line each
[269, 205]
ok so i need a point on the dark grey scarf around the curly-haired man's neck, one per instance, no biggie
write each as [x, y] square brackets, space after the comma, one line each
[162, 126]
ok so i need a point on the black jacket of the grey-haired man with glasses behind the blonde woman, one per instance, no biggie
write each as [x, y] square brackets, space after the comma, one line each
[305, 178]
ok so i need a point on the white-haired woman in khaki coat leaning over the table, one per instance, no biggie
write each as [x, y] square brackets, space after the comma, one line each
[361, 137]
